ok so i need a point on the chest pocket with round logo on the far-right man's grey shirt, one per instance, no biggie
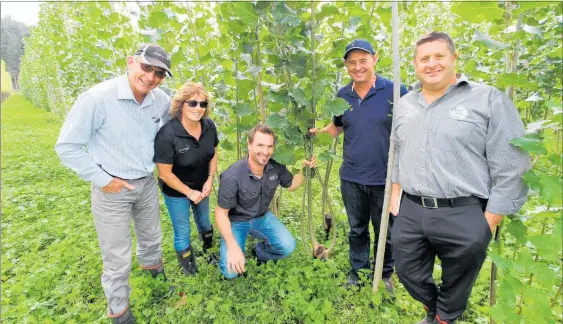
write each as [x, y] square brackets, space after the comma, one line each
[453, 135]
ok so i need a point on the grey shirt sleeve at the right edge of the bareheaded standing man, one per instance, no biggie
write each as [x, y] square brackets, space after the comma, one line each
[507, 164]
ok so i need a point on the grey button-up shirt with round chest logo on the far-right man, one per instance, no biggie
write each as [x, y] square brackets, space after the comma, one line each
[459, 145]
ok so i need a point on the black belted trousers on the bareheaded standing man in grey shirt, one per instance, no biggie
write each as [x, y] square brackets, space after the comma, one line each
[458, 236]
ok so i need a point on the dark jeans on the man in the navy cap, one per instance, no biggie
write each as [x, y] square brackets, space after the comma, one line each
[363, 203]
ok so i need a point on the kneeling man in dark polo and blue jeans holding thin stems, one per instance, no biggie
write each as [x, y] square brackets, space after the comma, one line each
[246, 189]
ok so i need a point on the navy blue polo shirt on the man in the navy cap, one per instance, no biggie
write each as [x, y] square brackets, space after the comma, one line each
[367, 127]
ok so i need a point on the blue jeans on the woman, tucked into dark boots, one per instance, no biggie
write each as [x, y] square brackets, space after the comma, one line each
[179, 212]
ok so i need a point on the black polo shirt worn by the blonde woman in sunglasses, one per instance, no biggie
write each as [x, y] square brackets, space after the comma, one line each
[188, 156]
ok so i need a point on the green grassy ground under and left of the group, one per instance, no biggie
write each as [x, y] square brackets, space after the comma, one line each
[51, 263]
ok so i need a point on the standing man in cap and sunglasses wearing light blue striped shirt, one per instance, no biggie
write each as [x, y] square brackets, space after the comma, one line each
[108, 139]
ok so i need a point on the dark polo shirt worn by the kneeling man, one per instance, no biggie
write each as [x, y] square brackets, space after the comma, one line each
[246, 196]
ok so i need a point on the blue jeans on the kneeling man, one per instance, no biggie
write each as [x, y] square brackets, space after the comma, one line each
[276, 241]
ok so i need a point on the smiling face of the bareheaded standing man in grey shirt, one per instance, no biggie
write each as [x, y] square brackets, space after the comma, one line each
[434, 65]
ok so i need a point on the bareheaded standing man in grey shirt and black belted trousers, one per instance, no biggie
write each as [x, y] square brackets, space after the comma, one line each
[459, 174]
